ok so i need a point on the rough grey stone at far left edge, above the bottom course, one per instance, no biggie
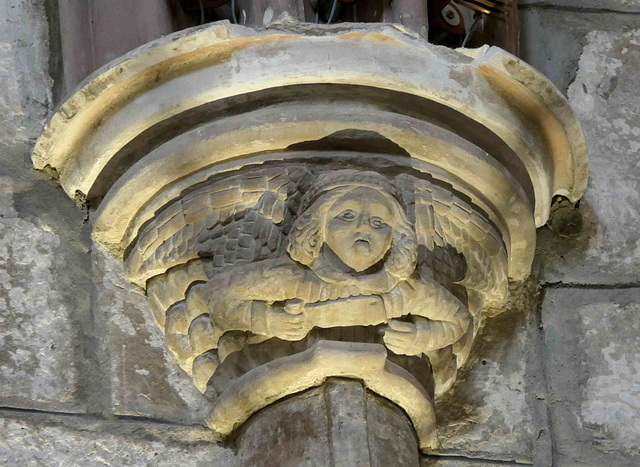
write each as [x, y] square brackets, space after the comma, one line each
[44, 285]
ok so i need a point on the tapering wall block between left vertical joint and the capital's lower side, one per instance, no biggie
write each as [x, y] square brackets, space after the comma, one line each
[143, 377]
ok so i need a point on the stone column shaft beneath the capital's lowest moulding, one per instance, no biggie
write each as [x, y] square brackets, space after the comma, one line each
[339, 424]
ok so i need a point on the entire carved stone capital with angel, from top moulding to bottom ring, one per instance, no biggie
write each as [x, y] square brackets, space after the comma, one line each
[214, 160]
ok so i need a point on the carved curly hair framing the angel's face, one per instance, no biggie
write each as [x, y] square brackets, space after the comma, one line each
[307, 235]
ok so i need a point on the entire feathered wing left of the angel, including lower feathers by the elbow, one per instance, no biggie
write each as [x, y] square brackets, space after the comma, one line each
[219, 224]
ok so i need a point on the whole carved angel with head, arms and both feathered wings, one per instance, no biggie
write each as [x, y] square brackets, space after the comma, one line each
[276, 254]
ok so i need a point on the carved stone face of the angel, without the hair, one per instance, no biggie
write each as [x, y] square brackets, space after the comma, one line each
[359, 227]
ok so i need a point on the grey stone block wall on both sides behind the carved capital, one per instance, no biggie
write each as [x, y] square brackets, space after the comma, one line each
[85, 376]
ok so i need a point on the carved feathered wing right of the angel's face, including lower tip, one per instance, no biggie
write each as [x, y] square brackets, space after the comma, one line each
[463, 245]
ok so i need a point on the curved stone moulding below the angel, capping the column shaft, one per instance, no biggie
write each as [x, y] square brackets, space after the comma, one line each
[366, 362]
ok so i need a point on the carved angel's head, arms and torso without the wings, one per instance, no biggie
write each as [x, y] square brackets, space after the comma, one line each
[352, 255]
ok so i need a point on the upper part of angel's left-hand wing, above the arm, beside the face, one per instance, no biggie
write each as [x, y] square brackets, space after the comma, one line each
[214, 220]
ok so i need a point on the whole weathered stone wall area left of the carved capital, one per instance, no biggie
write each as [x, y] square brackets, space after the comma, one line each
[75, 387]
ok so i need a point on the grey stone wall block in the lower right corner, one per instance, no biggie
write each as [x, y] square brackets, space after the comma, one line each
[592, 337]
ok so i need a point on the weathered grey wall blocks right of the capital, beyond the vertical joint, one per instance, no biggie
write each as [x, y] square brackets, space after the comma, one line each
[589, 318]
